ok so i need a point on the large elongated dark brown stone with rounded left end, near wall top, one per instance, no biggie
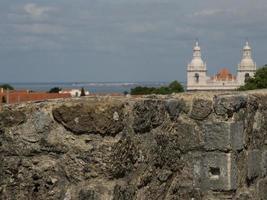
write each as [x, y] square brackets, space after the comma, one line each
[97, 119]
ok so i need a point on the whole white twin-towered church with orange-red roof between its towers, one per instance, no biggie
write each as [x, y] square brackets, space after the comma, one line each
[197, 78]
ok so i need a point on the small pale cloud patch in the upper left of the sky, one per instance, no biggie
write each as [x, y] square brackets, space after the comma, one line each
[37, 11]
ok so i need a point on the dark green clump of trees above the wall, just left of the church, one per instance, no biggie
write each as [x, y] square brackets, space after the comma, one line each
[173, 87]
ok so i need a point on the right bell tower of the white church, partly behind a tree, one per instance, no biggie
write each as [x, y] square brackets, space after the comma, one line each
[247, 67]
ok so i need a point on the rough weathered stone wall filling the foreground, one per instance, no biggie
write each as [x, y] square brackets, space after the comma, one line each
[190, 146]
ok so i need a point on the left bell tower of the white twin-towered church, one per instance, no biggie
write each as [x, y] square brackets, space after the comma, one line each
[196, 70]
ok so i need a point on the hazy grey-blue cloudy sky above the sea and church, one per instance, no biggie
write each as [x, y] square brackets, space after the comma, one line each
[125, 40]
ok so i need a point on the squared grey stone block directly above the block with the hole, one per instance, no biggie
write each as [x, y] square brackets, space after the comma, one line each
[223, 136]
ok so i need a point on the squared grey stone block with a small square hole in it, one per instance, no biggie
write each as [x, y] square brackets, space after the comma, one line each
[216, 171]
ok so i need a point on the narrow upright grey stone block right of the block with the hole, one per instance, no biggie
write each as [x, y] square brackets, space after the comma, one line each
[253, 164]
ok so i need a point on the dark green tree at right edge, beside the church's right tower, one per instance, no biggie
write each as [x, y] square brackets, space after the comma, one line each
[259, 81]
